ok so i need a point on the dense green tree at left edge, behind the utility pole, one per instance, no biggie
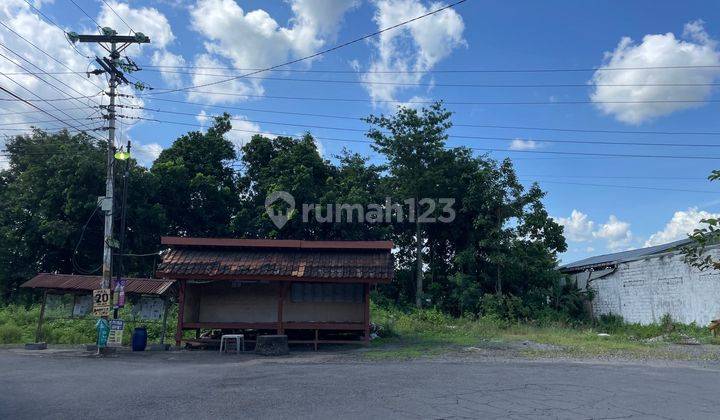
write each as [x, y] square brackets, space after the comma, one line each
[49, 216]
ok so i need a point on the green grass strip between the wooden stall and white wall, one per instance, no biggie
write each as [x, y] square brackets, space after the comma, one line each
[423, 333]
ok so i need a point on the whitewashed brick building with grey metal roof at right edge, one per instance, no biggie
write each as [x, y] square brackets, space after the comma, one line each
[645, 284]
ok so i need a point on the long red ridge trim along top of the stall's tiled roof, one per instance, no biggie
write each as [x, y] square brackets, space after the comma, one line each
[275, 243]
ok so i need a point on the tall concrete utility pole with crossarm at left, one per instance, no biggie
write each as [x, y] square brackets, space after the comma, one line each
[114, 44]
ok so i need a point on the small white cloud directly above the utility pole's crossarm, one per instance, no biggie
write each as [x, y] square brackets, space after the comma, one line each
[147, 20]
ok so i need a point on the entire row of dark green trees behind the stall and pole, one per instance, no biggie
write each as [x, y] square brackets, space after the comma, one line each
[500, 240]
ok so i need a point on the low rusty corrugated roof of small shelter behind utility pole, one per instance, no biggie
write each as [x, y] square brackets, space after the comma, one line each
[78, 282]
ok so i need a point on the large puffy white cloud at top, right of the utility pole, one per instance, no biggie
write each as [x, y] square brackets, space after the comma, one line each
[254, 39]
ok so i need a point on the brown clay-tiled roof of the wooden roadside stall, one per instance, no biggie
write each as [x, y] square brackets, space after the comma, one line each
[299, 263]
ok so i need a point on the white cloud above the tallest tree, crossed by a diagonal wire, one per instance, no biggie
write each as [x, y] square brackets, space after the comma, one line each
[415, 47]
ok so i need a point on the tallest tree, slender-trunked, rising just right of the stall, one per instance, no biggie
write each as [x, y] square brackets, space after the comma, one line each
[413, 141]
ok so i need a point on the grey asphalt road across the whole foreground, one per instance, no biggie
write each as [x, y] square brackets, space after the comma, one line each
[204, 385]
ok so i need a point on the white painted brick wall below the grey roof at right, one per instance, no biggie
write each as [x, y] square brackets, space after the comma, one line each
[643, 291]
